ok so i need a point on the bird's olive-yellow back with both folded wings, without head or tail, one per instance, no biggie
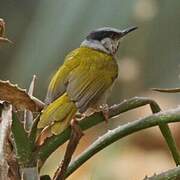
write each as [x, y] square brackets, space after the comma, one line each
[85, 76]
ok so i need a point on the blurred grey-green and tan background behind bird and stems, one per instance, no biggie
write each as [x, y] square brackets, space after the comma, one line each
[43, 32]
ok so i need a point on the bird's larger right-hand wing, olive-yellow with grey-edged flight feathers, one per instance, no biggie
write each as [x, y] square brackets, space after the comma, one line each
[88, 82]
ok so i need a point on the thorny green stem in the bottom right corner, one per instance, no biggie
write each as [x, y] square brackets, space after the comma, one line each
[172, 174]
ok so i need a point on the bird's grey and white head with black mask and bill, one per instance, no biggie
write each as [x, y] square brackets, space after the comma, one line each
[106, 39]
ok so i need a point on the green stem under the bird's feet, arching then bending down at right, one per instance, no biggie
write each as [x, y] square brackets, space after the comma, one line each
[54, 142]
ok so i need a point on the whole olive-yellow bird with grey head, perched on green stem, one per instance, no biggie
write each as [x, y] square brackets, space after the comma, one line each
[83, 82]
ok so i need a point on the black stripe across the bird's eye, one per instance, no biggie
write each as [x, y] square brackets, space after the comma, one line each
[101, 35]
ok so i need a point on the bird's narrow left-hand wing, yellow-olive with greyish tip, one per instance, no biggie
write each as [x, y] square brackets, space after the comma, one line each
[58, 82]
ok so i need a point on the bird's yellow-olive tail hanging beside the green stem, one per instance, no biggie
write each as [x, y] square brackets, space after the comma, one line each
[58, 114]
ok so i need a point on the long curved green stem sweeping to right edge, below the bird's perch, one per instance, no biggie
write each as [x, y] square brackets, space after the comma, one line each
[169, 116]
